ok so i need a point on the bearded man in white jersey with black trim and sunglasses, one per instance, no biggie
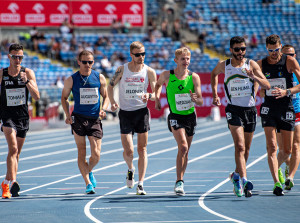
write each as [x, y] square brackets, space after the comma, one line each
[242, 78]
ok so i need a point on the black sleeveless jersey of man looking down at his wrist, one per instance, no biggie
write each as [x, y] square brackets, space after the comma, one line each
[278, 76]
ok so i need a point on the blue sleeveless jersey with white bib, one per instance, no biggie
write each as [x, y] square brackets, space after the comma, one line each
[86, 94]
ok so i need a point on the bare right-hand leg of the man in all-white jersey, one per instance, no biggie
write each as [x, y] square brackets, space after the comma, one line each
[142, 151]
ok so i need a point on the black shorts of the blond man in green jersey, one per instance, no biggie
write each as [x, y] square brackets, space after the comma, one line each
[188, 122]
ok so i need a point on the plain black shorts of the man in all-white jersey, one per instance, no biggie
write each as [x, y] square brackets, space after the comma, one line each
[134, 121]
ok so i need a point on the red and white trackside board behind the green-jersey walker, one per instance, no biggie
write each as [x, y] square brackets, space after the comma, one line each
[205, 109]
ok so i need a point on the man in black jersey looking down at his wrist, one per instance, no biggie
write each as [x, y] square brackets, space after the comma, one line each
[277, 111]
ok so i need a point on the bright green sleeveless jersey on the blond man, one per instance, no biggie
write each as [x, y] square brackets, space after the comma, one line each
[178, 94]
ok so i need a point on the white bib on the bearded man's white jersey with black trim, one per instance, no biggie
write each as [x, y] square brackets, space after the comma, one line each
[240, 88]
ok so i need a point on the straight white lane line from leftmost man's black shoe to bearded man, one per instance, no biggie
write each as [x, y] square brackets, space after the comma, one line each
[123, 162]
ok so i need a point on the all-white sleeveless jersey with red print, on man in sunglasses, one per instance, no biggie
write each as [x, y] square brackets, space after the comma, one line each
[131, 88]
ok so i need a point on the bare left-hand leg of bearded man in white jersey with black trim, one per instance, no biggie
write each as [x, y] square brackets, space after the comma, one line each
[237, 133]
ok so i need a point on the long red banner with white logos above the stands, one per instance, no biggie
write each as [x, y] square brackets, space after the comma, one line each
[53, 13]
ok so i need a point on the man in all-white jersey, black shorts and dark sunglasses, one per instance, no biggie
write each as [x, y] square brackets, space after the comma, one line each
[134, 78]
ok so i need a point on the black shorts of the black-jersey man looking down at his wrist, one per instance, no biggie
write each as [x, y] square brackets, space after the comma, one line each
[280, 118]
